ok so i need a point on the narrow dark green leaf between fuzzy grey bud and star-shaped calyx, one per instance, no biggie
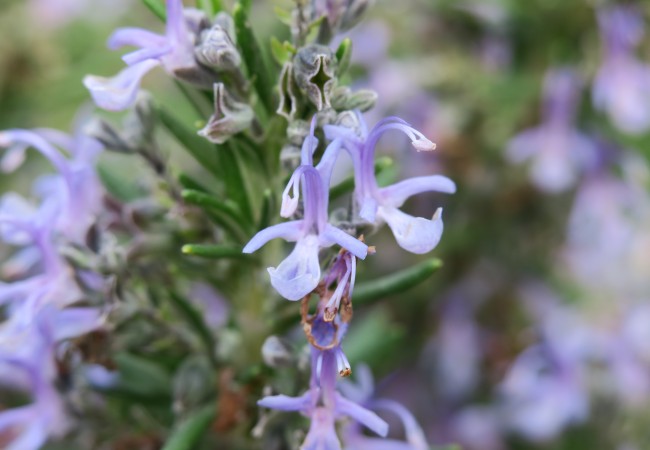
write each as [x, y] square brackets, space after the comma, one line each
[253, 56]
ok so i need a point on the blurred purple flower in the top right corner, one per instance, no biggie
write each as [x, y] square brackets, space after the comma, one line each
[622, 85]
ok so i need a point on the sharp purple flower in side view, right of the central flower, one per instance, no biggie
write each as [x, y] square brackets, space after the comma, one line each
[414, 234]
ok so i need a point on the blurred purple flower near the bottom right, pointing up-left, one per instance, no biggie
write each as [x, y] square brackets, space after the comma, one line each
[546, 388]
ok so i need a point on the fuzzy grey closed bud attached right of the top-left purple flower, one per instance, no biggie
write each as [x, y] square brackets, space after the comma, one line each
[217, 48]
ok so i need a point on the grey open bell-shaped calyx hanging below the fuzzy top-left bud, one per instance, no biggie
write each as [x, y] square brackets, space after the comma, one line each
[230, 117]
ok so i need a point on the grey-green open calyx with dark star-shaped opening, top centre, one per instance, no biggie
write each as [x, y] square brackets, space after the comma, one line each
[314, 71]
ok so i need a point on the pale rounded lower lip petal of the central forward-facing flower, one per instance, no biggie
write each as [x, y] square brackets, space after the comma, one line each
[299, 273]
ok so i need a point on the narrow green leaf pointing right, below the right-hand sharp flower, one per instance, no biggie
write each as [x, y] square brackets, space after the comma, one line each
[396, 283]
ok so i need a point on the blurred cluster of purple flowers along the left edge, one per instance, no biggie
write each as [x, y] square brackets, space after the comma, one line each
[41, 306]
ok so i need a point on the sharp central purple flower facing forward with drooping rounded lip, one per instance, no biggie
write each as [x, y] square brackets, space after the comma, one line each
[299, 273]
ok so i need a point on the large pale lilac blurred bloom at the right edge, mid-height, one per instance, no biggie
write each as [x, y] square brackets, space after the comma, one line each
[607, 228]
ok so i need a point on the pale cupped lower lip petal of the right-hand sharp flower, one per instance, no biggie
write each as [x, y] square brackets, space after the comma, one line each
[414, 234]
